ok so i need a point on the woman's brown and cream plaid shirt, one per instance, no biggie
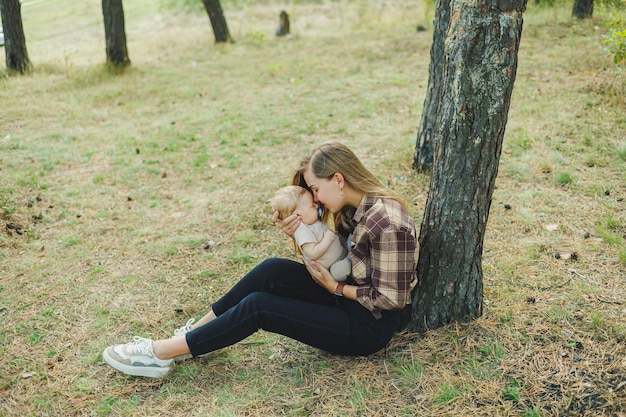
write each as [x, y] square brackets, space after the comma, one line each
[384, 256]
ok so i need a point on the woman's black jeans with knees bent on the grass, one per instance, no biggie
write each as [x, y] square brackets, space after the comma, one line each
[280, 296]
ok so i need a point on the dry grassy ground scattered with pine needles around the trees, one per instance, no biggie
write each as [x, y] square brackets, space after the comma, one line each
[130, 202]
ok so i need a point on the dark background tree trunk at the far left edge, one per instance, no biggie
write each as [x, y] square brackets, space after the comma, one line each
[14, 40]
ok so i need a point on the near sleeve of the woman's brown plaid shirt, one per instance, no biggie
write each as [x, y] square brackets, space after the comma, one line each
[392, 271]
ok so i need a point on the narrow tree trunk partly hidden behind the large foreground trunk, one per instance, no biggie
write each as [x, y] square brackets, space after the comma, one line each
[423, 156]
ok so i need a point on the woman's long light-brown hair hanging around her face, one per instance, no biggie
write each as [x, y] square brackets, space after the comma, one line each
[332, 157]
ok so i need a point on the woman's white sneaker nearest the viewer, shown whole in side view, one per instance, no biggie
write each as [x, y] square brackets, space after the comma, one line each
[137, 358]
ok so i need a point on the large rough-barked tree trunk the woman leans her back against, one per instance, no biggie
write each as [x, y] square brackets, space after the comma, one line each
[480, 65]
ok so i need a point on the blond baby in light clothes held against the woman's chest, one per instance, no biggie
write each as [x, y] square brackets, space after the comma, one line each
[313, 237]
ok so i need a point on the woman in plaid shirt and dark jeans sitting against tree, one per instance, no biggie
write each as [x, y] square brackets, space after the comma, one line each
[302, 300]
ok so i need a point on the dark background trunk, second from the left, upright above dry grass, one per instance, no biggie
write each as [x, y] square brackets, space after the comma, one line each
[115, 33]
